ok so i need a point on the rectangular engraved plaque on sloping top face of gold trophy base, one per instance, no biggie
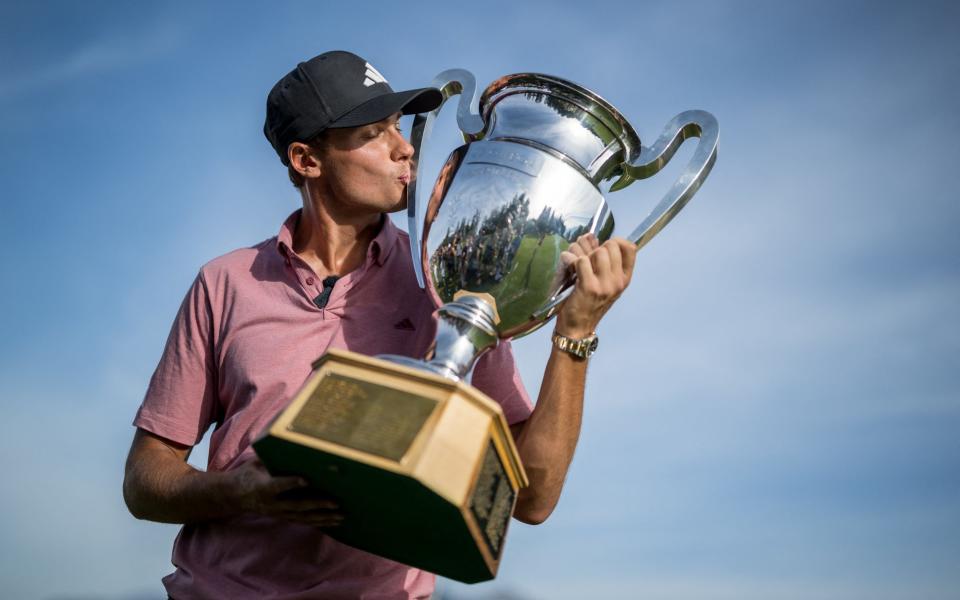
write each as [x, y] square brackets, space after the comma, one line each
[363, 416]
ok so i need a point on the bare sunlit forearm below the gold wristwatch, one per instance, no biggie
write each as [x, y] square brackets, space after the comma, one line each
[547, 440]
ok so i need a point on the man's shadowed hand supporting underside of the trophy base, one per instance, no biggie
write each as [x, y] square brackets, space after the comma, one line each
[256, 491]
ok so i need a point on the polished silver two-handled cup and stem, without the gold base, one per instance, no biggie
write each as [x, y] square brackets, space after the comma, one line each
[540, 152]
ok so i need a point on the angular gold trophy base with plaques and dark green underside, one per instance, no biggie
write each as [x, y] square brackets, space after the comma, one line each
[425, 468]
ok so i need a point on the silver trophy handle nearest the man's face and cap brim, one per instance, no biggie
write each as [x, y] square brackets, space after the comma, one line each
[450, 83]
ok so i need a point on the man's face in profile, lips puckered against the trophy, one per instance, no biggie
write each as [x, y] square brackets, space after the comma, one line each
[368, 167]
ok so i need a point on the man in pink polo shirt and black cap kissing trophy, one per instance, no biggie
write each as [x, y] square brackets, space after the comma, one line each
[338, 274]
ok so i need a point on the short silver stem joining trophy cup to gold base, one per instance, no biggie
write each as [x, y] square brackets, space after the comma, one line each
[465, 330]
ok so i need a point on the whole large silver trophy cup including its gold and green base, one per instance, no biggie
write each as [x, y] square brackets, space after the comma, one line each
[425, 462]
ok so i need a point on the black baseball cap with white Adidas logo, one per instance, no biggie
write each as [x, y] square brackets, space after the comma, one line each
[335, 89]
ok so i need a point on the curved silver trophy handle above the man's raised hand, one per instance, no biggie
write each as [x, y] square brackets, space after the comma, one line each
[688, 124]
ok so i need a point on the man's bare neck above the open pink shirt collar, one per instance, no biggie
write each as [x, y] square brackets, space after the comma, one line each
[332, 241]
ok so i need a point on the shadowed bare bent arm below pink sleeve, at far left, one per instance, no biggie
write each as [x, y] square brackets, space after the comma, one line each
[160, 486]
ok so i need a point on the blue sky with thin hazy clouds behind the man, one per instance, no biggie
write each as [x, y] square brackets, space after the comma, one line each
[773, 411]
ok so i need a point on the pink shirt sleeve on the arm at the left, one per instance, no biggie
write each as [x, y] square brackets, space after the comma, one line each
[180, 403]
